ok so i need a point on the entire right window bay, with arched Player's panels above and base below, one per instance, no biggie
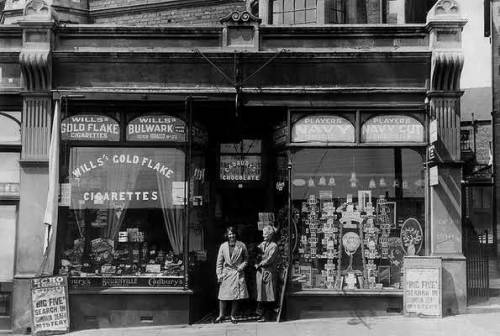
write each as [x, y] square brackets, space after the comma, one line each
[359, 206]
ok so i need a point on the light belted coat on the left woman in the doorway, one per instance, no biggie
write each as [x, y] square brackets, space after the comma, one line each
[233, 285]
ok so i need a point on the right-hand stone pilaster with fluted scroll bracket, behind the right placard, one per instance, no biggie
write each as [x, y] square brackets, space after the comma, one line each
[445, 28]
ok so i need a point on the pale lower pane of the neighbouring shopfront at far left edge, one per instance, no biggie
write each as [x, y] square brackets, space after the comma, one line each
[7, 239]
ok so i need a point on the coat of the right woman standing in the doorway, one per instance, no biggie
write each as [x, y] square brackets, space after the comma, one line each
[266, 276]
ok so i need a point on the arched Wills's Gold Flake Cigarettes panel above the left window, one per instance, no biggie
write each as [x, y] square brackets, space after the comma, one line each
[87, 127]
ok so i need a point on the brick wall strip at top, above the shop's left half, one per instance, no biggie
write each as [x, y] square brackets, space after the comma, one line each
[187, 15]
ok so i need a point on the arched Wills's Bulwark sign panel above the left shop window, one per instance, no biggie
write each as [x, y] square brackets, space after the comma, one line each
[156, 128]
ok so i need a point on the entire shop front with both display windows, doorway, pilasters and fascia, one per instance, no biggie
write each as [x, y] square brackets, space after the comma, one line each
[170, 135]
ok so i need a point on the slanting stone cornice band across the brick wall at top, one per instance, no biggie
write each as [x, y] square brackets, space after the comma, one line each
[163, 5]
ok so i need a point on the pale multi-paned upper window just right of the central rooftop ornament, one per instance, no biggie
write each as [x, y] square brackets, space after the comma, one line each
[294, 11]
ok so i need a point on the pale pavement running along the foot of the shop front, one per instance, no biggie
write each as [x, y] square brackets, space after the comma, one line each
[482, 319]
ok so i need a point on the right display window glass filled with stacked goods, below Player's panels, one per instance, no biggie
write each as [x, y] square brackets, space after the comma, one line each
[359, 212]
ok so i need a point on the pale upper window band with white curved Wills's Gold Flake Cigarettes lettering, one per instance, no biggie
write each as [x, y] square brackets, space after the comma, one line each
[118, 178]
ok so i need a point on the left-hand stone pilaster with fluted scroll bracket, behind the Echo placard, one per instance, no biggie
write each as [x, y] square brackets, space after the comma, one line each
[35, 61]
